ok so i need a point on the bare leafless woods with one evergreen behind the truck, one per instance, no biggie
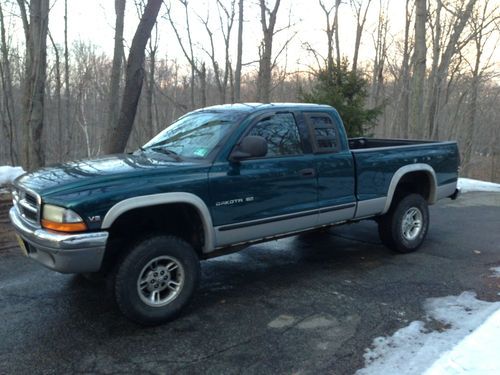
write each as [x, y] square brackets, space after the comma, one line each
[430, 70]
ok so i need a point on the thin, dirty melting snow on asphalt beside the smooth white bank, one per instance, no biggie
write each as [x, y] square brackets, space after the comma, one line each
[412, 349]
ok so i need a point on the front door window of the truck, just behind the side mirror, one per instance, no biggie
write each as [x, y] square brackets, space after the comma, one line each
[281, 133]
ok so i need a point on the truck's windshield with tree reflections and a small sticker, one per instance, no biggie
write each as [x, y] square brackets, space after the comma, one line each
[194, 135]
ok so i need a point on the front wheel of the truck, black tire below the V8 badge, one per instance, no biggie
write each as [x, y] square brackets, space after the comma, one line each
[156, 279]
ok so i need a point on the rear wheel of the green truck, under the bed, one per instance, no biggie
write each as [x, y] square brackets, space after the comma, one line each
[405, 226]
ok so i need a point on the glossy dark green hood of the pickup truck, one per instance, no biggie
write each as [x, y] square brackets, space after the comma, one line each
[78, 175]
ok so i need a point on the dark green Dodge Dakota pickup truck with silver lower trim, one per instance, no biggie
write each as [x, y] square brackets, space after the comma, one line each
[216, 180]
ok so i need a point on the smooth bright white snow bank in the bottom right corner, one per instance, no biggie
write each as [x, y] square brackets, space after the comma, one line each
[476, 354]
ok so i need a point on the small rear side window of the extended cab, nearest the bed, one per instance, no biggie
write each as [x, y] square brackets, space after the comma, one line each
[323, 132]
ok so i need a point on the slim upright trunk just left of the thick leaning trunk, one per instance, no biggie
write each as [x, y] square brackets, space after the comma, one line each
[114, 85]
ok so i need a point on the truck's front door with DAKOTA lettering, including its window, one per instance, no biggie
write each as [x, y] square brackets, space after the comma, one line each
[260, 197]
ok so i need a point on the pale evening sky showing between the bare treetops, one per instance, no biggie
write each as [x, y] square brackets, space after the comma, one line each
[92, 21]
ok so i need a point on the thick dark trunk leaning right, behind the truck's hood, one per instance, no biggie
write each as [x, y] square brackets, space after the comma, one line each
[134, 79]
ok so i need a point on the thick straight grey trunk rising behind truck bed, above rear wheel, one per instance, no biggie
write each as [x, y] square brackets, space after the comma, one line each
[418, 78]
